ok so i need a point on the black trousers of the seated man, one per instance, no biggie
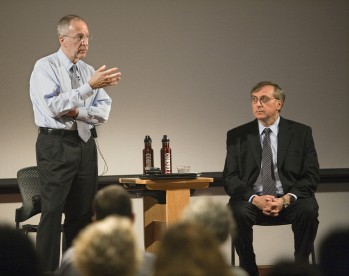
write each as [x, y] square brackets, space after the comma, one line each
[301, 214]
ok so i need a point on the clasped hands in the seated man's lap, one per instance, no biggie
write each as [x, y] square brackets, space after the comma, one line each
[270, 205]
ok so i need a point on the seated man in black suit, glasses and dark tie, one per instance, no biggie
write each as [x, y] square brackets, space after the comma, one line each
[271, 173]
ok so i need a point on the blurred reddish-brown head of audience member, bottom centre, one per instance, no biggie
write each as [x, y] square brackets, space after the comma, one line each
[189, 249]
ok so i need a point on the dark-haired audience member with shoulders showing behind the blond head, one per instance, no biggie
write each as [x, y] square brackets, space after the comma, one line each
[111, 200]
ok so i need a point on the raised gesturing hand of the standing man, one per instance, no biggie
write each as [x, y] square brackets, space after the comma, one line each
[103, 77]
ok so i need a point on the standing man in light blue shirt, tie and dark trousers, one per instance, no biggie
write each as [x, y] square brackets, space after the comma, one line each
[68, 102]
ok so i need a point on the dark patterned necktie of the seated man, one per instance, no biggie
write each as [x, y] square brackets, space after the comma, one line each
[267, 170]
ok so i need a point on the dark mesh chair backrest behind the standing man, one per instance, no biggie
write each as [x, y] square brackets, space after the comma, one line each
[29, 187]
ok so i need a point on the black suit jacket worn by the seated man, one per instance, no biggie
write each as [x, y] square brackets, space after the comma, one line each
[297, 162]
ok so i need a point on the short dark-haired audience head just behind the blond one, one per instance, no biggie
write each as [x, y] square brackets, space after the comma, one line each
[112, 200]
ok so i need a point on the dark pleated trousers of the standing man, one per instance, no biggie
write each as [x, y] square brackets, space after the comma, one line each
[68, 174]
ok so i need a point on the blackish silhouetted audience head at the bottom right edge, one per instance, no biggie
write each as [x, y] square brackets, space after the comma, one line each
[334, 253]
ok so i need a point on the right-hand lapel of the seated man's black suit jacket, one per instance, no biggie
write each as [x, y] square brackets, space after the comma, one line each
[284, 137]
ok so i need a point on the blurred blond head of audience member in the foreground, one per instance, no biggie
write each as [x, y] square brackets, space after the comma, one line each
[107, 247]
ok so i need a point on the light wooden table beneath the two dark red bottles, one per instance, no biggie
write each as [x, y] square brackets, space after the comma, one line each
[159, 214]
